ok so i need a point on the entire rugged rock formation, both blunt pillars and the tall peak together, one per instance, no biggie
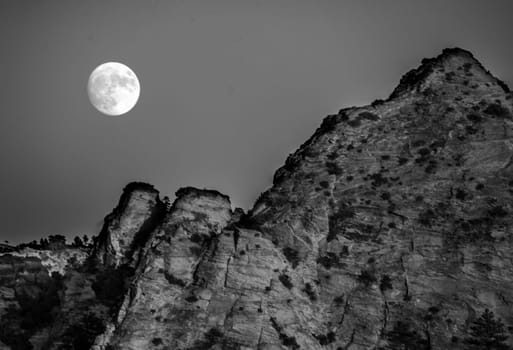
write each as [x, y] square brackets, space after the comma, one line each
[390, 226]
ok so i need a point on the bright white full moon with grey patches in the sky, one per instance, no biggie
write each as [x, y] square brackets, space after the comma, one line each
[113, 88]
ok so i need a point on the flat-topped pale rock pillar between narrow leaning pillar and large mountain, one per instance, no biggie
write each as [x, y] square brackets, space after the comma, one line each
[170, 265]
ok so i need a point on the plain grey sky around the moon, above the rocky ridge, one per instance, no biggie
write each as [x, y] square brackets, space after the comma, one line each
[228, 89]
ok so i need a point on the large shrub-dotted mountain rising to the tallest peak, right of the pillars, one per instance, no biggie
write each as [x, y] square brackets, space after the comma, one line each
[400, 211]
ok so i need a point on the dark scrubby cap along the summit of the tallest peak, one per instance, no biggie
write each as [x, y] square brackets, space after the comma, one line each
[446, 60]
